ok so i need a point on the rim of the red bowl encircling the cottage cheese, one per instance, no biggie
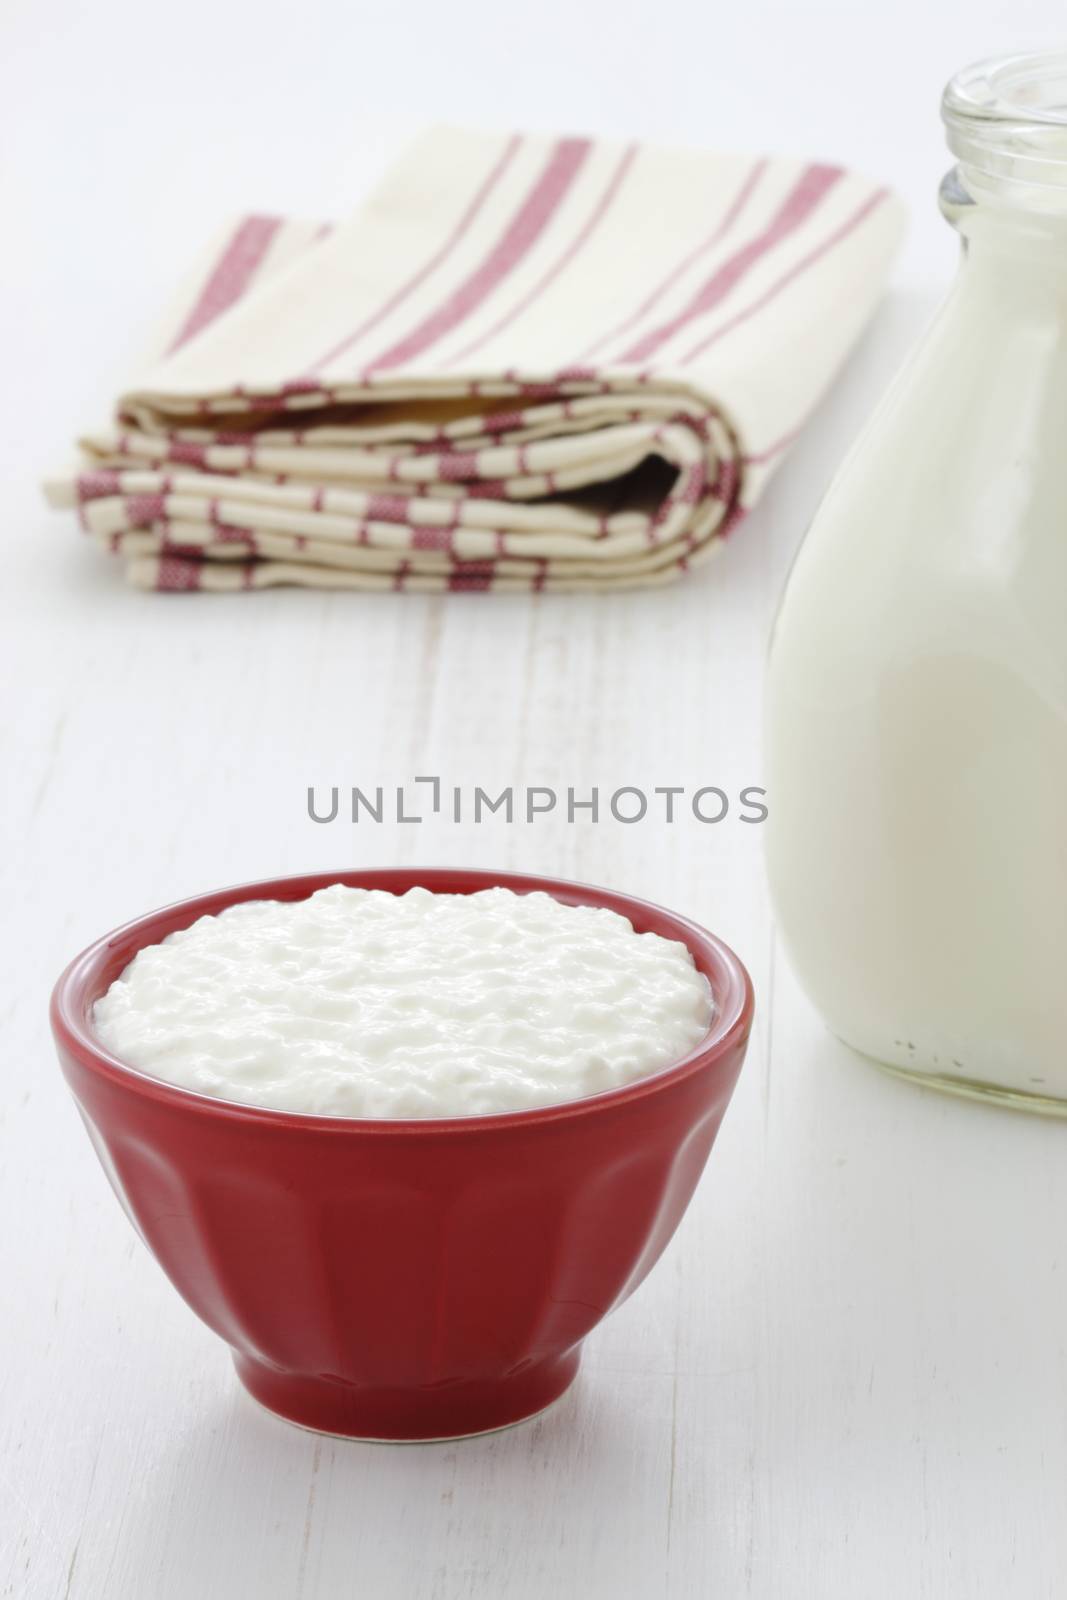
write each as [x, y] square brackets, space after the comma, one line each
[92, 972]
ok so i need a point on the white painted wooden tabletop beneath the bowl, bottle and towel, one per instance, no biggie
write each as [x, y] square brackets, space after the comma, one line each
[847, 1377]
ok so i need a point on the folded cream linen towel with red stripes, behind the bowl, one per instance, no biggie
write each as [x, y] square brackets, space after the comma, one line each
[524, 364]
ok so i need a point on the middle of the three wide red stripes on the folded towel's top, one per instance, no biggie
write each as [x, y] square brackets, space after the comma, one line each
[514, 244]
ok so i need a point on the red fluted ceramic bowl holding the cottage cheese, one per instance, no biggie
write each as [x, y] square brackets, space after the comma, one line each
[404, 1279]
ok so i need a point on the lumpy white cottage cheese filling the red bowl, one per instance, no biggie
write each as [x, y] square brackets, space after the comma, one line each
[364, 1004]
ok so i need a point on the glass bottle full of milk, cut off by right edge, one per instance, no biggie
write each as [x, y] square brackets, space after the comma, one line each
[917, 738]
